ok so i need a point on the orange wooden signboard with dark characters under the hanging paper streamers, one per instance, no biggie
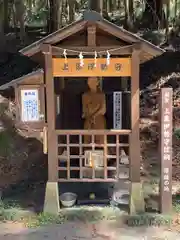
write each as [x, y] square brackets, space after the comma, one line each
[71, 67]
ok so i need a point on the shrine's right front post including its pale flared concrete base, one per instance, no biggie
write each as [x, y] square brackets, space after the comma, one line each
[136, 198]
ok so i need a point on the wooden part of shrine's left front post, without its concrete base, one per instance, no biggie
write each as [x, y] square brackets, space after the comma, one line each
[50, 108]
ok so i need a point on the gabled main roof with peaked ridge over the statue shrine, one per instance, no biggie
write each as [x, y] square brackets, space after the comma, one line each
[101, 23]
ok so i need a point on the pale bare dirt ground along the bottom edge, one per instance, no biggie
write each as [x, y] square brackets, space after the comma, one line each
[85, 231]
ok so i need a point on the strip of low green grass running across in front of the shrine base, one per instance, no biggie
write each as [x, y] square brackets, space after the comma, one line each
[10, 211]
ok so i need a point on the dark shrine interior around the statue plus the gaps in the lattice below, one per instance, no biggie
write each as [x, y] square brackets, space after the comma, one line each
[68, 92]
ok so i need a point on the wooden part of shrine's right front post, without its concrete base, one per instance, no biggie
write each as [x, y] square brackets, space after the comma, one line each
[135, 105]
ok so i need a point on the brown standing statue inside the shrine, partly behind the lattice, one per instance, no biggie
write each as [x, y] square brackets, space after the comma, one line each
[94, 109]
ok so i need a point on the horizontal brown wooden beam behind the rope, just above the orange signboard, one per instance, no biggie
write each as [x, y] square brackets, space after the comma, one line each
[89, 50]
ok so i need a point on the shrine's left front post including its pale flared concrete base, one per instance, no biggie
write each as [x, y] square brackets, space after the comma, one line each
[52, 194]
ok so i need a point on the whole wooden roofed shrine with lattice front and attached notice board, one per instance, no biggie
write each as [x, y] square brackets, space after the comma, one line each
[89, 47]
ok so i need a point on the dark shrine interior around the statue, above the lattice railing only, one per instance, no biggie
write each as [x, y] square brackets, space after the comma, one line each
[68, 92]
